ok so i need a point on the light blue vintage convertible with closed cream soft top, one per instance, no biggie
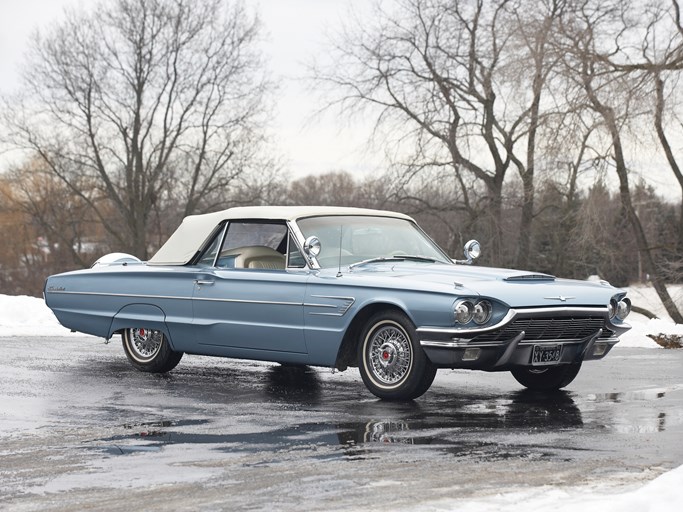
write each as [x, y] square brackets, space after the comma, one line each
[338, 287]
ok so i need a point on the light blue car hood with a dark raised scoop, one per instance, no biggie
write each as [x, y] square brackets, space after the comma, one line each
[516, 288]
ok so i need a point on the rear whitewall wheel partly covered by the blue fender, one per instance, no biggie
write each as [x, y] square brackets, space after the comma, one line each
[149, 351]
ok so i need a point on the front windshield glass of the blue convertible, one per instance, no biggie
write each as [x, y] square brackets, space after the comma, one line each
[366, 238]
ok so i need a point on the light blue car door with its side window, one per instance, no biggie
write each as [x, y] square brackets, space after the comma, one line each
[246, 298]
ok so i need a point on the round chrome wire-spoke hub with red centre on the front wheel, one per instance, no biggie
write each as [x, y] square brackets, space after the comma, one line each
[390, 354]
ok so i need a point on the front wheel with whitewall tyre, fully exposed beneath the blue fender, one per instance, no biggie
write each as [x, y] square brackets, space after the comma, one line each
[391, 362]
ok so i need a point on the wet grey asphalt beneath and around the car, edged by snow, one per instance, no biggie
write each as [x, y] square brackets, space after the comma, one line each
[80, 428]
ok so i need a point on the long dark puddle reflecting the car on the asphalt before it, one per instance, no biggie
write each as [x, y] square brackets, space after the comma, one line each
[460, 427]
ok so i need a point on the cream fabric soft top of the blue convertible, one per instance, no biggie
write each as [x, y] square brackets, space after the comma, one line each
[195, 229]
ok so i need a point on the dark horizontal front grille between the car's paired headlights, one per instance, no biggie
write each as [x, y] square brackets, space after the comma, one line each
[548, 329]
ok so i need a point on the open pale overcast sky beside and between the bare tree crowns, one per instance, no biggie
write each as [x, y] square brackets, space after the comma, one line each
[295, 34]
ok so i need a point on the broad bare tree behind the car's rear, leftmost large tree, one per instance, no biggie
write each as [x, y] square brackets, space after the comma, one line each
[136, 105]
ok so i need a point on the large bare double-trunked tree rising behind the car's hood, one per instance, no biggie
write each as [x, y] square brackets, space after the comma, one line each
[461, 84]
